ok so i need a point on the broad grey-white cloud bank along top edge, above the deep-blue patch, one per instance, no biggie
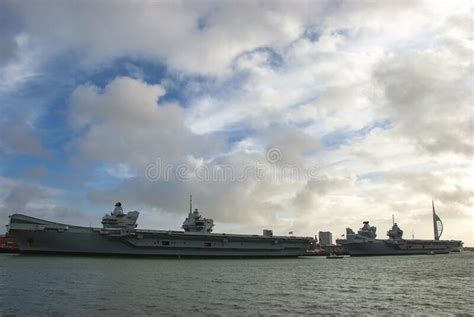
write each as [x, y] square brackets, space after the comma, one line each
[199, 38]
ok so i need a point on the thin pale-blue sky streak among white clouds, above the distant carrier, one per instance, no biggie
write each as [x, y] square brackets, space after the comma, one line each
[344, 137]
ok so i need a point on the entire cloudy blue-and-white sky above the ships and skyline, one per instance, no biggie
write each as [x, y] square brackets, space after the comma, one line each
[299, 116]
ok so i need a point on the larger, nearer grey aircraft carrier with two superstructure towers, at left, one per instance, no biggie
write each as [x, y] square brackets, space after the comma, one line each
[120, 236]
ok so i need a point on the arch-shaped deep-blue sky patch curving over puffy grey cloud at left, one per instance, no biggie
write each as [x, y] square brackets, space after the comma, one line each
[63, 79]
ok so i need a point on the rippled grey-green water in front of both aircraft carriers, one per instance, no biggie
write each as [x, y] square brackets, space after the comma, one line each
[426, 285]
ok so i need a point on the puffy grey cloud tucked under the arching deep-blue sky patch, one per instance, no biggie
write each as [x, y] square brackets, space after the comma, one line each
[125, 123]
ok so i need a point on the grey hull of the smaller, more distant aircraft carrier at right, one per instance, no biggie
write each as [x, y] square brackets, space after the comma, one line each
[402, 247]
